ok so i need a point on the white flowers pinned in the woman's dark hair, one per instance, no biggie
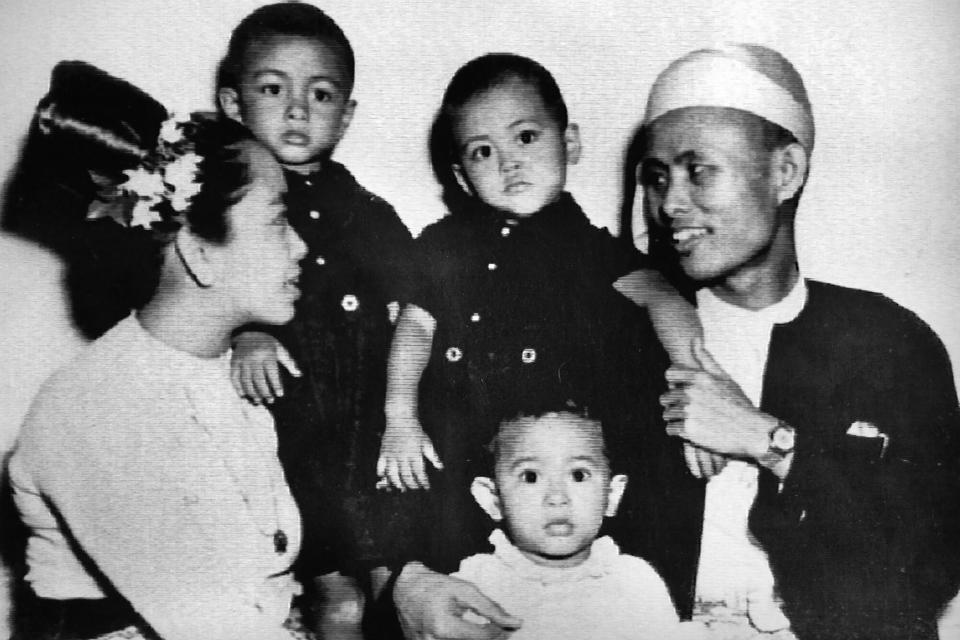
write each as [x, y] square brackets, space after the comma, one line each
[159, 190]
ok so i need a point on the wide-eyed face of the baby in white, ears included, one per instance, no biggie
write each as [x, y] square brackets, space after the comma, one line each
[553, 487]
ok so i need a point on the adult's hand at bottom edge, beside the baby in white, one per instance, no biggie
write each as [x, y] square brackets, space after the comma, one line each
[431, 605]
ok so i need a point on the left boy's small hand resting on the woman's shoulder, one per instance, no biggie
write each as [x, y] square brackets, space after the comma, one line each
[255, 366]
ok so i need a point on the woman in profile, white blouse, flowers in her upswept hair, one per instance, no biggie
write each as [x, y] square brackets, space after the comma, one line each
[155, 503]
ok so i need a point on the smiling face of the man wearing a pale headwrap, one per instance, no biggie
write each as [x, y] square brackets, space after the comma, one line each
[707, 179]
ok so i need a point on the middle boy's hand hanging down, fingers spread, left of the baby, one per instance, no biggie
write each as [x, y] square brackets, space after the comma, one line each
[402, 451]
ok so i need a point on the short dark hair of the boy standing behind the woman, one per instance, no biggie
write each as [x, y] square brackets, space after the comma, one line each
[290, 18]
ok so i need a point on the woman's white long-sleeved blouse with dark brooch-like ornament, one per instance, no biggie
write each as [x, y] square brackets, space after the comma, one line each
[139, 467]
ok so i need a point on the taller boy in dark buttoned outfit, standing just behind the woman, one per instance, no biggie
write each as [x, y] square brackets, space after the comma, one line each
[288, 76]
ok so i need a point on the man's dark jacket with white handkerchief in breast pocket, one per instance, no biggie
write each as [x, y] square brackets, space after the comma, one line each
[857, 524]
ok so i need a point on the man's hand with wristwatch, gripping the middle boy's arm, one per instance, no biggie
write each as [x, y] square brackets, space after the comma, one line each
[705, 407]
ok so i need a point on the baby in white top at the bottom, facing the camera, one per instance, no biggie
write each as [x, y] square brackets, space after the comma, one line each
[550, 490]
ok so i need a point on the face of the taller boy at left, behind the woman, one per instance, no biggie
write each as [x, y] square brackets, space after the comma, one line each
[294, 97]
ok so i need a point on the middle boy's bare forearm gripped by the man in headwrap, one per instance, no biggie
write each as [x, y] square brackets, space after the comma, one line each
[674, 319]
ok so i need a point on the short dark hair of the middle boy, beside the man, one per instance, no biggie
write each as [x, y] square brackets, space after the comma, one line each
[486, 72]
